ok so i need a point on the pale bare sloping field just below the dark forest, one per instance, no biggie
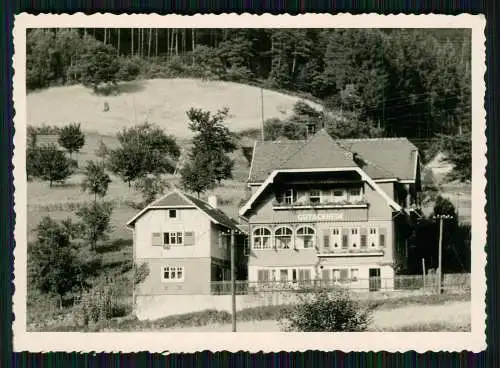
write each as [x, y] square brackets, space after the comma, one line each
[162, 101]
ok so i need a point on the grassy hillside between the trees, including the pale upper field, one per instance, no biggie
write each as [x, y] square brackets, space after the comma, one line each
[163, 102]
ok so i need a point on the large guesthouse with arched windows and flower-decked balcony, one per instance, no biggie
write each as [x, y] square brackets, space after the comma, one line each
[339, 211]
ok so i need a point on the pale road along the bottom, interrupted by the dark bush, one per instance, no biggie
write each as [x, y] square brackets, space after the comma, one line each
[456, 313]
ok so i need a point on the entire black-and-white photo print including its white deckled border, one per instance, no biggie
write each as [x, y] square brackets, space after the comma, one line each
[258, 178]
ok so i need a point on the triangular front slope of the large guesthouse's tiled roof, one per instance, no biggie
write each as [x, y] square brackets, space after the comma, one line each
[320, 152]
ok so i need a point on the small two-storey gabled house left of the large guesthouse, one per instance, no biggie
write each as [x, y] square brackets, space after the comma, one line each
[185, 243]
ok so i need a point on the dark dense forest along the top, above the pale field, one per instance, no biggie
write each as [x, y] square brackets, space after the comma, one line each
[413, 83]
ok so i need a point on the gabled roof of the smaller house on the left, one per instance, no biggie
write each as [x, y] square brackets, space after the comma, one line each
[177, 199]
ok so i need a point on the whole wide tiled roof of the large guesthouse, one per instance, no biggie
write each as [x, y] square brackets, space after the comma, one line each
[382, 158]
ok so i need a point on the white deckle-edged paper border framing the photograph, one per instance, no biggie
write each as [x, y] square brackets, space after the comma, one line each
[474, 341]
